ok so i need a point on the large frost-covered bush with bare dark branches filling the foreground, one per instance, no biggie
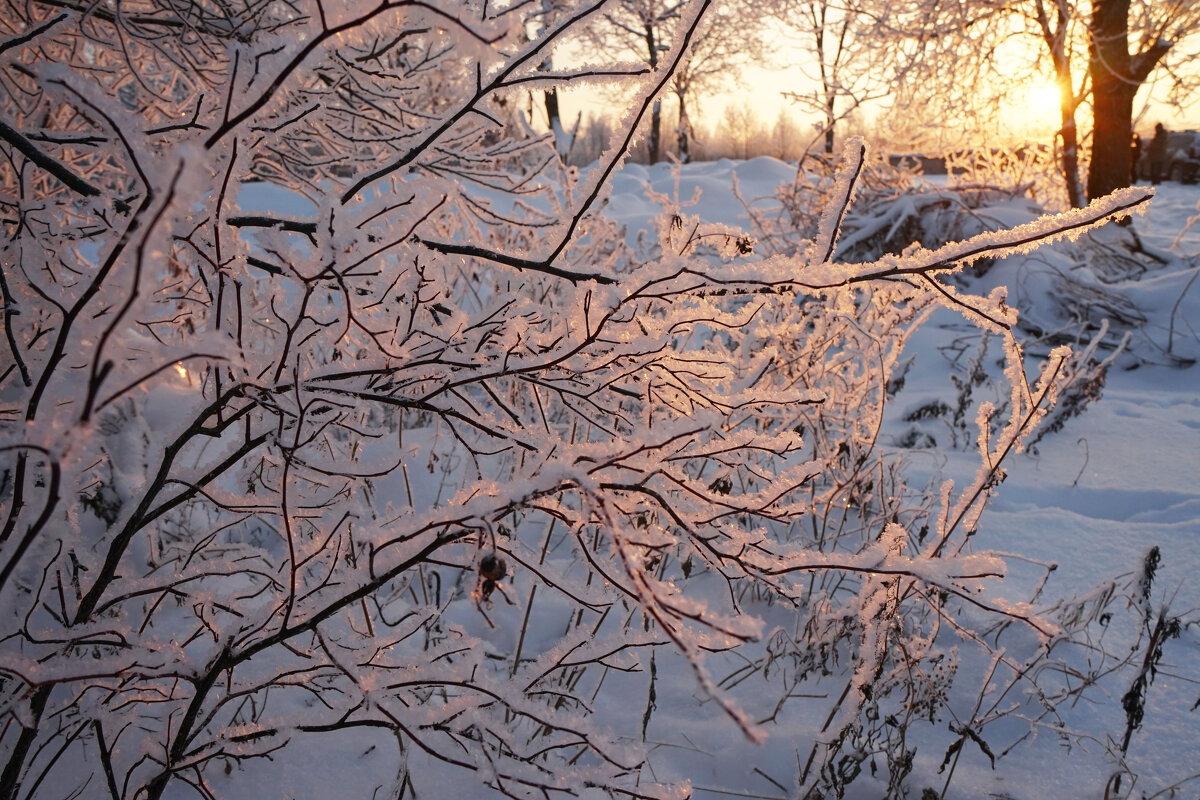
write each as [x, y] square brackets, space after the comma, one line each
[430, 462]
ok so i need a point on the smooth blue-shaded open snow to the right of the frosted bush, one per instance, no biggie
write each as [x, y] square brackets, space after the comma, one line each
[1119, 479]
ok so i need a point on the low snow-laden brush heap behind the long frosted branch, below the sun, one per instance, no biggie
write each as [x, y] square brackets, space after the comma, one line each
[1067, 294]
